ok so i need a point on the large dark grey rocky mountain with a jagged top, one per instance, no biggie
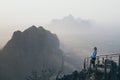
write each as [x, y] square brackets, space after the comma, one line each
[33, 49]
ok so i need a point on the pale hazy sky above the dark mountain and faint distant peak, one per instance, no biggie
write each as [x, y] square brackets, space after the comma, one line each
[20, 14]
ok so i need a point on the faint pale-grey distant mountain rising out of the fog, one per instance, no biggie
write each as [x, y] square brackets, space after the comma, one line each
[71, 21]
